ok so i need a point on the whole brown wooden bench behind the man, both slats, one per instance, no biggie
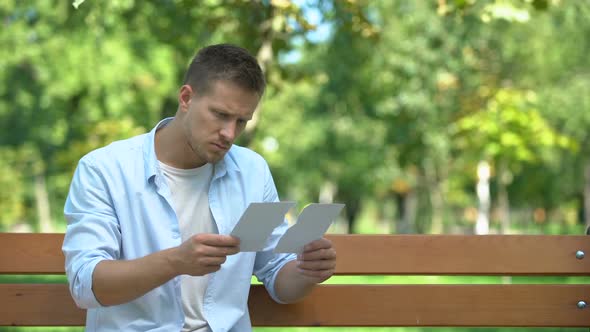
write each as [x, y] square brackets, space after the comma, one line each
[539, 304]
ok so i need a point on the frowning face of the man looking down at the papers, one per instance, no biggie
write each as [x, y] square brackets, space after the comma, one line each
[212, 121]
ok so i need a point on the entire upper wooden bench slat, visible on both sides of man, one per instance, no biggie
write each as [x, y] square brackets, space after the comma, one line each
[376, 254]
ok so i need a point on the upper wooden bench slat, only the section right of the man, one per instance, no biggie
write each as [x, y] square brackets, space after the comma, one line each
[462, 254]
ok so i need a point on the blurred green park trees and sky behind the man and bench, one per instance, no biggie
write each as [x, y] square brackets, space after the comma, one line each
[433, 116]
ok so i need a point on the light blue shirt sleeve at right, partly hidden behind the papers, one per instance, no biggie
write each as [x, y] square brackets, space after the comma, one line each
[268, 264]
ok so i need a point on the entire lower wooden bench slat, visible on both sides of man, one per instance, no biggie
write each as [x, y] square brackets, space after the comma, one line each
[352, 305]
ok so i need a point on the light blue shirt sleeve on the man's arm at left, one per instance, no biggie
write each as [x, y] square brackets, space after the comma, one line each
[92, 234]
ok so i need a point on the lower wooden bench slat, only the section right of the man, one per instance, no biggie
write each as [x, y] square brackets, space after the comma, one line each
[429, 305]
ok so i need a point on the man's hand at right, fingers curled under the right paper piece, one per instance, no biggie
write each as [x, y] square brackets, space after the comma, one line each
[318, 260]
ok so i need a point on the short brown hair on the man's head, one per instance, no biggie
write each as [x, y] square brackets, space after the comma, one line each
[224, 62]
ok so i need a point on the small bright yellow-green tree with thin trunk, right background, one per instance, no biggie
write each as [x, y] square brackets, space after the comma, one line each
[509, 133]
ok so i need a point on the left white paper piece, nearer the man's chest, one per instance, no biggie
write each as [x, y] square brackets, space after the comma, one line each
[258, 222]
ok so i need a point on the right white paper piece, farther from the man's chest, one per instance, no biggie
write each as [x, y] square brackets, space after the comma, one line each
[312, 224]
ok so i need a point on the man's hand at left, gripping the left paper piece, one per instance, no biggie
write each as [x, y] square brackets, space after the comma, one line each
[203, 253]
